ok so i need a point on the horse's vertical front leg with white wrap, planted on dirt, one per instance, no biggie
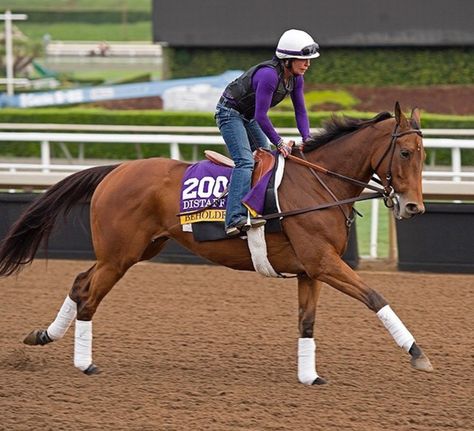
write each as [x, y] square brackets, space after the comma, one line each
[308, 295]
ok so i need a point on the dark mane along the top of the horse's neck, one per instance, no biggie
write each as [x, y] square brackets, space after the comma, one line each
[338, 126]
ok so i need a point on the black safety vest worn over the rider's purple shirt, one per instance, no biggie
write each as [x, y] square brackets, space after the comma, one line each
[241, 94]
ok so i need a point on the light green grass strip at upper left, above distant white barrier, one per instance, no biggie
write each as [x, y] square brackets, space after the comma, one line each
[136, 31]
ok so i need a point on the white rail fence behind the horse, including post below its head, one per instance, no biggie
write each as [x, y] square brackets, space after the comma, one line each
[46, 173]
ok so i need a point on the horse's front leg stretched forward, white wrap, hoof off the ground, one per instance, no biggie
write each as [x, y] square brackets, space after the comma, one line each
[339, 275]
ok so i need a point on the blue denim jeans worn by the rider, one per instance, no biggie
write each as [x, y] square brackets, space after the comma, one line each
[242, 137]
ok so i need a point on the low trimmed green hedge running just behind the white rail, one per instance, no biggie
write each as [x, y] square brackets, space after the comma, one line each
[167, 118]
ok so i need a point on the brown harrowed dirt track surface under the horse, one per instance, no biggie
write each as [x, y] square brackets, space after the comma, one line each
[207, 348]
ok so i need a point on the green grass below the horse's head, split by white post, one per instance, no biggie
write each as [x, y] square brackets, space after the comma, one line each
[363, 229]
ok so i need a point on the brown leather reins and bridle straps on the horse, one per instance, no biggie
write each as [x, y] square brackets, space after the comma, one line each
[384, 191]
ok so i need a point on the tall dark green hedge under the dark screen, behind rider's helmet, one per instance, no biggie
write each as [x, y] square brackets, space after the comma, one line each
[373, 67]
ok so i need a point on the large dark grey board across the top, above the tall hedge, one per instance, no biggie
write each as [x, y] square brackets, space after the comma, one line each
[334, 23]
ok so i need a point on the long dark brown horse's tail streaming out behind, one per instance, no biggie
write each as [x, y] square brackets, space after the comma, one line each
[33, 228]
